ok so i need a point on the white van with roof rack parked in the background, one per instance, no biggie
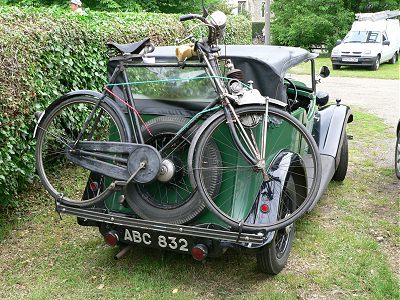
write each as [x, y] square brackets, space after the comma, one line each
[374, 38]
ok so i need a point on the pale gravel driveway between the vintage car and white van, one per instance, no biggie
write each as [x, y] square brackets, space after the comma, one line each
[378, 96]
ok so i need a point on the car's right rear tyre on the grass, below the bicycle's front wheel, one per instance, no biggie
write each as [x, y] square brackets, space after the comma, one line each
[272, 258]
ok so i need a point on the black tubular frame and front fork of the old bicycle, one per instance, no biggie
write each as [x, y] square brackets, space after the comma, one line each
[256, 157]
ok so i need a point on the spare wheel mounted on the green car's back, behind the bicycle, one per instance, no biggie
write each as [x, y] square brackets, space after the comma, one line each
[173, 201]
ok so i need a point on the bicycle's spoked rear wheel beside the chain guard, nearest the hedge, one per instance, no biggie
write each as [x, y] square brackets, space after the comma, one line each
[57, 130]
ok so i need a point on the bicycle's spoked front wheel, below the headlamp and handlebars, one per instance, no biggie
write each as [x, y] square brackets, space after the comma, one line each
[249, 196]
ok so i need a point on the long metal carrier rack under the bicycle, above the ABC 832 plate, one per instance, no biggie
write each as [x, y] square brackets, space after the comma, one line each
[194, 231]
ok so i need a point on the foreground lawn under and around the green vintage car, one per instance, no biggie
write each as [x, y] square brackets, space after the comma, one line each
[347, 248]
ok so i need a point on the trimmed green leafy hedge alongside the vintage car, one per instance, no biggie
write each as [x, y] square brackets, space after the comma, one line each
[46, 53]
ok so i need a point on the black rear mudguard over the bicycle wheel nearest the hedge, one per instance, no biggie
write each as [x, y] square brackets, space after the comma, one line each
[86, 93]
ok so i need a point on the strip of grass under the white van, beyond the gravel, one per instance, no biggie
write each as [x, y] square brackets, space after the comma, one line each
[385, 71]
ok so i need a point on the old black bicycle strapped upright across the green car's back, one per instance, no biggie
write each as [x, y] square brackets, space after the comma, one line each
[243, 156]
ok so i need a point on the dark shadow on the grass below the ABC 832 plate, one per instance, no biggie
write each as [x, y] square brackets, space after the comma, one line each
[234, 273]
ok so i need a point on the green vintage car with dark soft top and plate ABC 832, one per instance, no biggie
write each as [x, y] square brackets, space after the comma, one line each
[135, 216]
